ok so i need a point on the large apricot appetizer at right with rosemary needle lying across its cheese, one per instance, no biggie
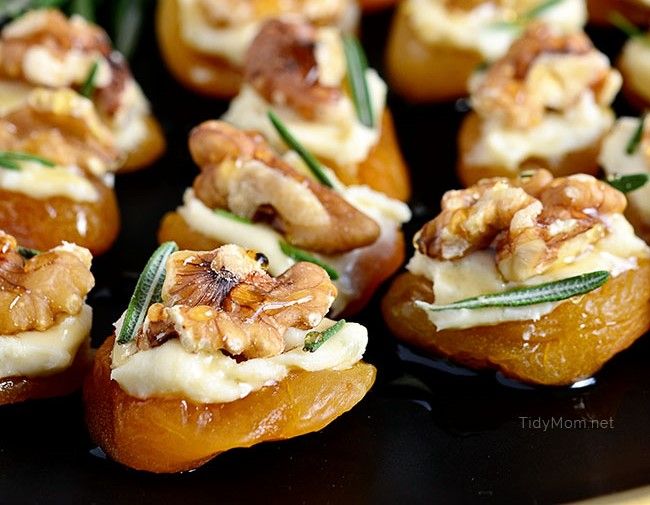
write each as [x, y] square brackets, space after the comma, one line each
[541, 278]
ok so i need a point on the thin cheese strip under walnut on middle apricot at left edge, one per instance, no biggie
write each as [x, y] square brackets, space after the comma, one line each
[38, 181]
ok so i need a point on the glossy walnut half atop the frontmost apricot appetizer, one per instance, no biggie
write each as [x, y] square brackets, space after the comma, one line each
[224, 300]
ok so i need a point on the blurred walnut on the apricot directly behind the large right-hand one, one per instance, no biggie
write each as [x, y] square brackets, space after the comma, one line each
[543, 71]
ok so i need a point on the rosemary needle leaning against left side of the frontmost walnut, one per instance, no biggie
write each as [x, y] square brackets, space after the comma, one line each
[147, 291]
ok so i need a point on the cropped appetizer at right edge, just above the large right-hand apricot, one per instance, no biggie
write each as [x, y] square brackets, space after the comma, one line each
[625, 158]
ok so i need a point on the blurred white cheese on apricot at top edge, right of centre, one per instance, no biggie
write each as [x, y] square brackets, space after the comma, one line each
[480, 29]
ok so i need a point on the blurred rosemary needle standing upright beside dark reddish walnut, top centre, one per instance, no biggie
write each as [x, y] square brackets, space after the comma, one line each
[357, 64]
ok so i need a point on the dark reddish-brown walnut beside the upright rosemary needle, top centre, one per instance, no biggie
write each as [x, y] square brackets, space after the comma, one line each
[281, 65]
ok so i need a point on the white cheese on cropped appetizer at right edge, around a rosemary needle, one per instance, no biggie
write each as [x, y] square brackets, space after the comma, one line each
[615, 160]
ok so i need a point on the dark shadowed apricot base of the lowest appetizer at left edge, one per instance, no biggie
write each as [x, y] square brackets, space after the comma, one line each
[20, 389]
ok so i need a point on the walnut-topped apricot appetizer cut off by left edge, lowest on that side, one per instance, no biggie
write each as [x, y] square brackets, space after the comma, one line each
[44, 320]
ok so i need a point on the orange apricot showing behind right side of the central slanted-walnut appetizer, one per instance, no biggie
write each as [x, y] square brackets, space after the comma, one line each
[384, 169]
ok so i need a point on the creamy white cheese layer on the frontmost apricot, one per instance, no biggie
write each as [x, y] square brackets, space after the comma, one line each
[169, 370]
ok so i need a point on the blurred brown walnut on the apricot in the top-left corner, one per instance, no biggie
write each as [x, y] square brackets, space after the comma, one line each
[44, 48]
